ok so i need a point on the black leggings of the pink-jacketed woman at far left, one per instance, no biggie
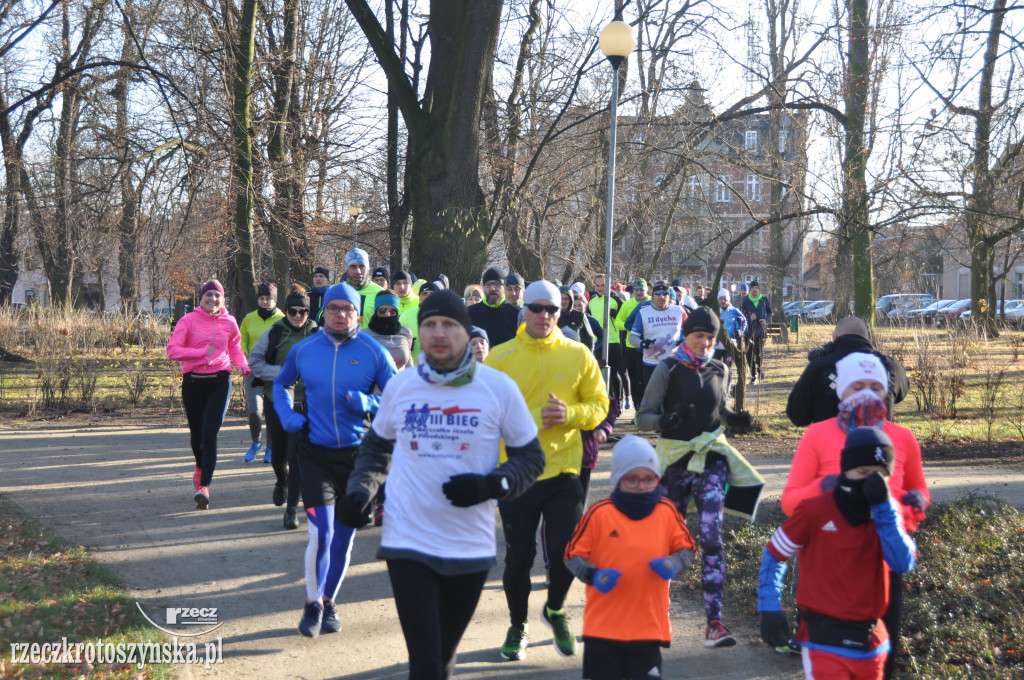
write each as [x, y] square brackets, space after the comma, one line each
[205, 397]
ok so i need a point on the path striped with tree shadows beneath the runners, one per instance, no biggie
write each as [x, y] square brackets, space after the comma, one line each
[125, 493]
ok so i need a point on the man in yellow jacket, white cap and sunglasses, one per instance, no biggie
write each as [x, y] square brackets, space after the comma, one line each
[564, 389]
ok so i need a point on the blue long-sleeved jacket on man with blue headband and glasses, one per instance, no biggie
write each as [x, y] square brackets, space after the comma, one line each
[338, 382]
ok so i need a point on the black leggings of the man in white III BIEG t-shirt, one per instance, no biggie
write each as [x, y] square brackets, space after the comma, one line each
[435, 612]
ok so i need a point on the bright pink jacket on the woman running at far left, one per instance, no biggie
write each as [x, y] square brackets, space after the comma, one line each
[196, 332]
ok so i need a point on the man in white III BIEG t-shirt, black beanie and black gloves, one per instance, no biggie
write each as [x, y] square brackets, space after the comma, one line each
[437, 439]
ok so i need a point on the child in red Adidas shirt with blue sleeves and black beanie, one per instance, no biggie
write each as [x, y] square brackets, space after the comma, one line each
[848, 540]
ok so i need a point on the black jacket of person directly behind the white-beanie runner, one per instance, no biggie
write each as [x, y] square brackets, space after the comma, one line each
[814, 398]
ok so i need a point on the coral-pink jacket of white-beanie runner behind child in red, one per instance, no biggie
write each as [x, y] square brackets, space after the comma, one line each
[819, 455]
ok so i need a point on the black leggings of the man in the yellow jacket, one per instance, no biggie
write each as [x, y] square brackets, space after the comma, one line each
[560, 501]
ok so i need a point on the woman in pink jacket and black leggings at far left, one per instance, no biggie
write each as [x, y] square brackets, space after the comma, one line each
[206, 342]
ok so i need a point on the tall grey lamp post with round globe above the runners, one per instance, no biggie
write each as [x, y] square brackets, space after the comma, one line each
[617, 42]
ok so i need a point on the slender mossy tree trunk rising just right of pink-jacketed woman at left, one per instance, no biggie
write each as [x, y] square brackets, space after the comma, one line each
[245, 266]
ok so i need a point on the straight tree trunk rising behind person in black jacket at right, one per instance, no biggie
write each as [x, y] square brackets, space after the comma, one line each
[856, 208]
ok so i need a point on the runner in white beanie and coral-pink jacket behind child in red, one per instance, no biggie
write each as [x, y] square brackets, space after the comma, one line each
[863, 385]
